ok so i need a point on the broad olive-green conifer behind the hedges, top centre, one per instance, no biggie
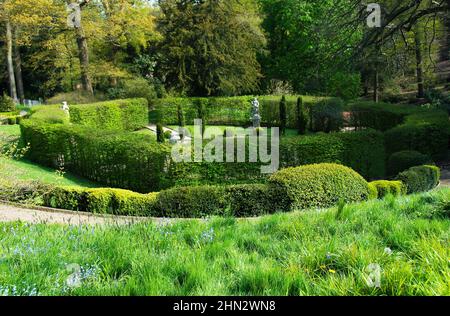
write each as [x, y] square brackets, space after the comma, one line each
[210, 47]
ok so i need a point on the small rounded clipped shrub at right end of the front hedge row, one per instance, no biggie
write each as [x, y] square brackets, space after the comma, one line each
[420, 178]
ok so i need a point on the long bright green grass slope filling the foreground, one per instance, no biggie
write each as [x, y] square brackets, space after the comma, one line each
[308, 253]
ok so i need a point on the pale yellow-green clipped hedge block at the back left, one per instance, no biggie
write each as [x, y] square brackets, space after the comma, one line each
[126, 115]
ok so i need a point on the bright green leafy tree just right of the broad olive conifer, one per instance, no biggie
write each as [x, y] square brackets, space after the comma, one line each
[298, 31]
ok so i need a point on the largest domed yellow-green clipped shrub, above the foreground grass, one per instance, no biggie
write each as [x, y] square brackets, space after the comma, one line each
[319, 185]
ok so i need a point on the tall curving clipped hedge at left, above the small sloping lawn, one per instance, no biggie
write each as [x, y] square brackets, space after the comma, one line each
[117, 159]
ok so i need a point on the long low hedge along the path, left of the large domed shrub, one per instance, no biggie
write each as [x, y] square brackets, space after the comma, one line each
[183, 202]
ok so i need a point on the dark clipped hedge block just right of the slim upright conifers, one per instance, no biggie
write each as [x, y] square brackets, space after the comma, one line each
[326, 116]
